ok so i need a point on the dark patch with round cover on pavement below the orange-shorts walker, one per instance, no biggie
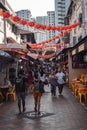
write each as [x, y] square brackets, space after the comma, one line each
[34, 115]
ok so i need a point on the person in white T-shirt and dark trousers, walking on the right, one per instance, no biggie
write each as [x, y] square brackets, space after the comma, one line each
[61, 80]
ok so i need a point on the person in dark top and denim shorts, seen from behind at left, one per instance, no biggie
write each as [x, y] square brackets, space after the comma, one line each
[20, 86]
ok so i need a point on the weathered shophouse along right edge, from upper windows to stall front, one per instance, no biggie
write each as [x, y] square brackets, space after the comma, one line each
[77, 54]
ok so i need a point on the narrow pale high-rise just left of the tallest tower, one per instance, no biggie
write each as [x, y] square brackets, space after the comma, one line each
[51, 22]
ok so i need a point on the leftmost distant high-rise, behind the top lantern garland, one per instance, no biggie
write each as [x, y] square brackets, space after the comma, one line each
[25, 14]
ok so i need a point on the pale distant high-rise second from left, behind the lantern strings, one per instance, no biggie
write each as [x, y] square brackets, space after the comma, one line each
[41, 35]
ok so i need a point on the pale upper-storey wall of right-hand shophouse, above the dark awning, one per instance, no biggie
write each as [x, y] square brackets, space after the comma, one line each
[75, 16]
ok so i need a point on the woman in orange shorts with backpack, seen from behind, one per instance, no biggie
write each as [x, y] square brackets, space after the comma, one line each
[37, 93]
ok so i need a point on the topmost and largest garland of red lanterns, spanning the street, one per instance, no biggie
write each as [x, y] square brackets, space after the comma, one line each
[17, 19]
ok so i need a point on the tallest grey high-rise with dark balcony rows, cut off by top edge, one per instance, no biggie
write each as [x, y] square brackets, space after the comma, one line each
[61, 7]
